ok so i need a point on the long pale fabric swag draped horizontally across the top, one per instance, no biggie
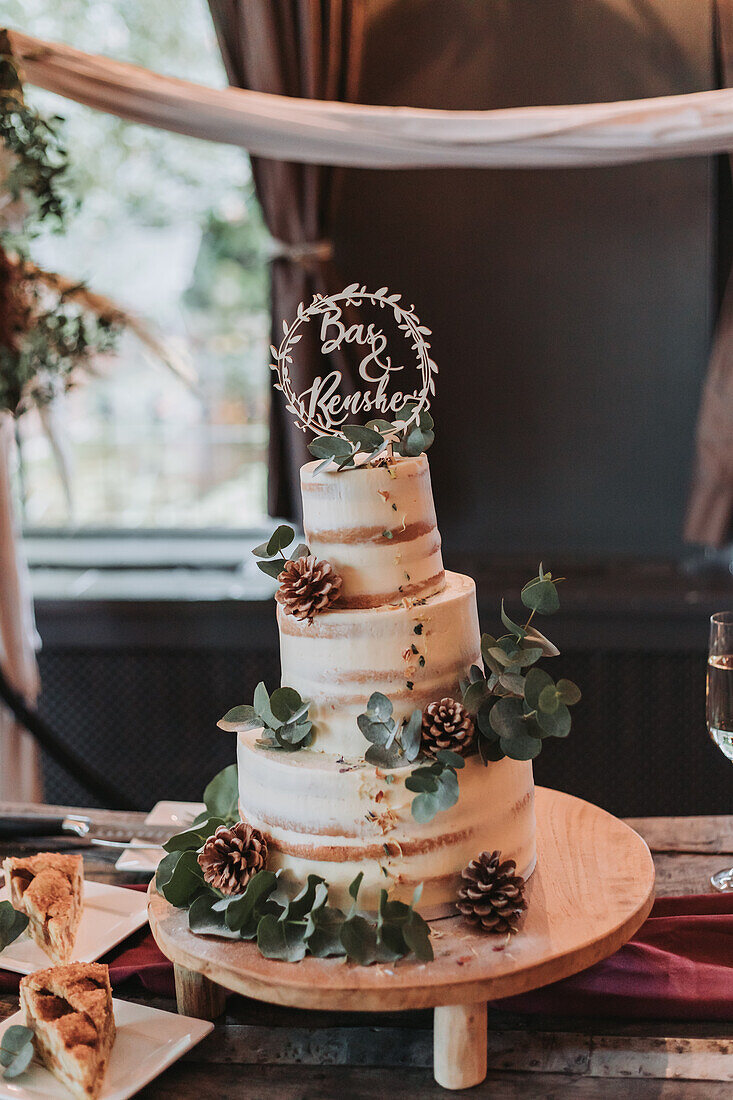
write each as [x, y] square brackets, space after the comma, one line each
[388, 137]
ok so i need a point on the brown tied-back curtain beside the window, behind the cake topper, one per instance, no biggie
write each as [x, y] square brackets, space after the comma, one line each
[310, 49]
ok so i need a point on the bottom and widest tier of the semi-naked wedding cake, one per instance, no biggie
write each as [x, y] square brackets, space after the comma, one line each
[327, 817]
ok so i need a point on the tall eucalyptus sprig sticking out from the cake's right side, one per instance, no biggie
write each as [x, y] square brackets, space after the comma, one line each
[517, 710]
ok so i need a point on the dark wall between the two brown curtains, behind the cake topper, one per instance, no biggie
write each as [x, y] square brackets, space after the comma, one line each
[572, 310]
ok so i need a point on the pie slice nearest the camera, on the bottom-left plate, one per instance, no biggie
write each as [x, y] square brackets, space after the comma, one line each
[70, 1010]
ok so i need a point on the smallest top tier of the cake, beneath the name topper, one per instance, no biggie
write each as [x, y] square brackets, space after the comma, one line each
[378, 529]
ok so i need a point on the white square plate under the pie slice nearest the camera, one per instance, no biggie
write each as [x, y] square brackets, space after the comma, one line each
[148, 1042]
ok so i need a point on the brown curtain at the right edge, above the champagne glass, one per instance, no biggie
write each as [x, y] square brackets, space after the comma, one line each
[710, 508]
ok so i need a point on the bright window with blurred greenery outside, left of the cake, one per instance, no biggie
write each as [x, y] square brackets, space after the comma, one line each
[170, 229]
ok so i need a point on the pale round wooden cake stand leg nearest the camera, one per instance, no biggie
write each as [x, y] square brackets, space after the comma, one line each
[460, 1046]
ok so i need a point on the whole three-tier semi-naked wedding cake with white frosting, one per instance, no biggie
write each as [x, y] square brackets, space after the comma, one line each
[407, 629]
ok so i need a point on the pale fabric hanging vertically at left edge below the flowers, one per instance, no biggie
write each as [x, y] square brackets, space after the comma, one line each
[20, 774]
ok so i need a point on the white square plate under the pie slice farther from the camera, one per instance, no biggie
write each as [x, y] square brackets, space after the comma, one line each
[111, 915]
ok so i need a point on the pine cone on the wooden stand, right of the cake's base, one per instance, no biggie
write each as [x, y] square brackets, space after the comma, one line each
[494, 895]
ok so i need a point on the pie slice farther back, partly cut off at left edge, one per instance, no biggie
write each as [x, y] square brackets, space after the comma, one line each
[49, 889]
